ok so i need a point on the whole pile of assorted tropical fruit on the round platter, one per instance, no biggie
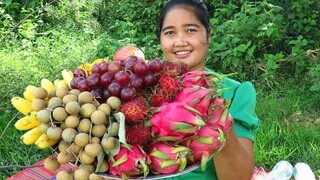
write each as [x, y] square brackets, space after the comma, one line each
[125, 118]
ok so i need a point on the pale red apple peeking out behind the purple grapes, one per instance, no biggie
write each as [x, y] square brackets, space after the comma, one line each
[126, 51]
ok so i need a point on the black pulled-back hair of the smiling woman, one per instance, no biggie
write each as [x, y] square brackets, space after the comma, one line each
[200, 11]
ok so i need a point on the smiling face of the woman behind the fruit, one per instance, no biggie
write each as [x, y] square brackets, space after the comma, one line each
[184, 38]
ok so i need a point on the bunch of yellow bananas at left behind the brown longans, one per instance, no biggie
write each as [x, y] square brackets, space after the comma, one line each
[34, 99]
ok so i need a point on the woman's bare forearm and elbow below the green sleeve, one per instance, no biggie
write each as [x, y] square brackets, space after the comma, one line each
[236, 159]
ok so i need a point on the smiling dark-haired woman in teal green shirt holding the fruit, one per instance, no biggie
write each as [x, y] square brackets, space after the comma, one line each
[184, 33]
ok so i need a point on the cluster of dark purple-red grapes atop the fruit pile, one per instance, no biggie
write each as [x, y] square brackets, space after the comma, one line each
[123, 78]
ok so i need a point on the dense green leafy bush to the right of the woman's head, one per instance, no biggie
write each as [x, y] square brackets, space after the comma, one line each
[255, 39]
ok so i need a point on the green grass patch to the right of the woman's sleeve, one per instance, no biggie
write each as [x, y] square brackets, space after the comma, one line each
[289, 129]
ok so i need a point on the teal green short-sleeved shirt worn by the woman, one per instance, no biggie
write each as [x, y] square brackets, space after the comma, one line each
[242, 109]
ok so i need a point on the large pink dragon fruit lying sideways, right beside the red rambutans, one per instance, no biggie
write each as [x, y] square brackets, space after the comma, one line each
[174, 121]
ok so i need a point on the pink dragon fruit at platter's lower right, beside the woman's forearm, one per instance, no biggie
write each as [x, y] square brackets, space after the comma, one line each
[204, 145]
